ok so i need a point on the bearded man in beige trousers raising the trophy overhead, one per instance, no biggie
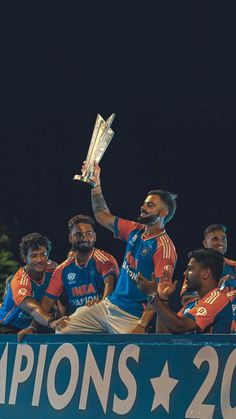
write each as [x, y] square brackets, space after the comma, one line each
[149, 249]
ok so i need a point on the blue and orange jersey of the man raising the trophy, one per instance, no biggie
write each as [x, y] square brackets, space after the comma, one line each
[145, 255]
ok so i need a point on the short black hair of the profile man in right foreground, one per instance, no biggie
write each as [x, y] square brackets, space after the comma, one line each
[209, 258]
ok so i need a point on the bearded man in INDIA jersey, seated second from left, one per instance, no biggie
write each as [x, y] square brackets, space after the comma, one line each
[86, 277]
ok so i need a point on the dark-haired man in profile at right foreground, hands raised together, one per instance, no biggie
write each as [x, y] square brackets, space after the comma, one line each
[210, 312]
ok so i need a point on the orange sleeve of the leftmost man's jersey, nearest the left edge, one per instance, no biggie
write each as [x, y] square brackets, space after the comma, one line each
[21, 287]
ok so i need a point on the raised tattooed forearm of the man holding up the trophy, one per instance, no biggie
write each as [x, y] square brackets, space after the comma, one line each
[101, 210]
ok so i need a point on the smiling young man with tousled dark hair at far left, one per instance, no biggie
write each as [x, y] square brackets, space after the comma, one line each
[28, 285]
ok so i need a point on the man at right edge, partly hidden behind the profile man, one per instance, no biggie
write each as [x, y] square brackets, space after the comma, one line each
[215, 237]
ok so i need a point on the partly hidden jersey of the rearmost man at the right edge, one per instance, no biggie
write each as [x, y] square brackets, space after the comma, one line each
[228, 287]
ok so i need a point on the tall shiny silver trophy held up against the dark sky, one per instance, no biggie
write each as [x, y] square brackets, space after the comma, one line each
[101, 137]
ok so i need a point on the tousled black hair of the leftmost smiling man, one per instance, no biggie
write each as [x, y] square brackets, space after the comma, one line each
[34, 241]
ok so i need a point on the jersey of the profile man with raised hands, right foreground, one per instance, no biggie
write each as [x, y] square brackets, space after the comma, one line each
[212, 313]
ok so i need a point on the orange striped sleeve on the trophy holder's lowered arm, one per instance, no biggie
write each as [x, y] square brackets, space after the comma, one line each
[165, 255]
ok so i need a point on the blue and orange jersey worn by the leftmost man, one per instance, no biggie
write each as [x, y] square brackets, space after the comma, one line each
[21, 287]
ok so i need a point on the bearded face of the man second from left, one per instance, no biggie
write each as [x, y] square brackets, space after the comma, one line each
[82, 237]
